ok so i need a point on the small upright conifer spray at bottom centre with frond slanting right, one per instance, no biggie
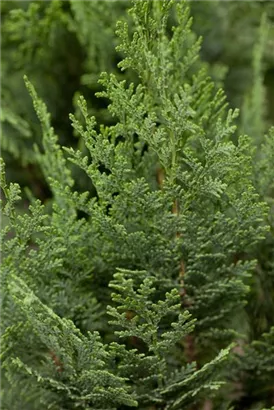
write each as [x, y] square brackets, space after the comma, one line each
[140, 318]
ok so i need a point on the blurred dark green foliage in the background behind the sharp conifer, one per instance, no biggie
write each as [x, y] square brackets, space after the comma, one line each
[64, 45]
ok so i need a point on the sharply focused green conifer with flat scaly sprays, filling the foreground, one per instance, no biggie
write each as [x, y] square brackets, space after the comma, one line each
[135, 296]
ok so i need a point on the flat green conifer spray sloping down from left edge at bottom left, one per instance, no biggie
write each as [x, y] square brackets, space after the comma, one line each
[86, 382]
